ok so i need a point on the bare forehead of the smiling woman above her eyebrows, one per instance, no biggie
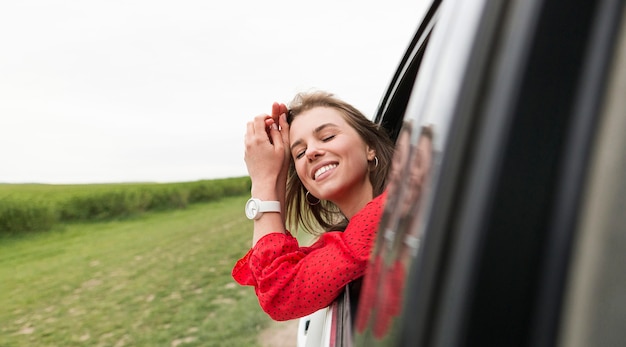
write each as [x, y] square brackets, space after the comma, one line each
[306, 122]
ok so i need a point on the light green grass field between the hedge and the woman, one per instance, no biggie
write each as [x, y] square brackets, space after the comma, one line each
[158, 279]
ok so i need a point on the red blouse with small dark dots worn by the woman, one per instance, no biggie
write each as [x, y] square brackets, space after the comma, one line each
[292, 281]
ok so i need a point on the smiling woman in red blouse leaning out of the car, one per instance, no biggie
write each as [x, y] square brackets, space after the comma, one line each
[320, 165]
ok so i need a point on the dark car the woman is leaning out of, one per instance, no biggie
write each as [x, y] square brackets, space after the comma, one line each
[505, 220]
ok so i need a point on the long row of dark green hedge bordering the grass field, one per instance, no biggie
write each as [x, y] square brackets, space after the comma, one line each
[26, 213]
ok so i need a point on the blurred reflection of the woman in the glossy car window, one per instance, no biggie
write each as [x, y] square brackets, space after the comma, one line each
[399, 234]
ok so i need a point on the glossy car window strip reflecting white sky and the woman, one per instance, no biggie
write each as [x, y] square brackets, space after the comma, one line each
[421, 141]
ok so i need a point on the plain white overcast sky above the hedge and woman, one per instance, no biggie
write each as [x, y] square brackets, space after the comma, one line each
[160, 91]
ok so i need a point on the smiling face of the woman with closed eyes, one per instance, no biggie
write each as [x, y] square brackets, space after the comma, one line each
[330, 158]
